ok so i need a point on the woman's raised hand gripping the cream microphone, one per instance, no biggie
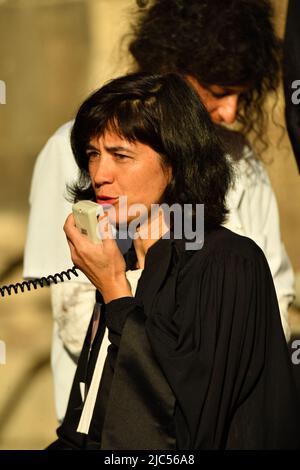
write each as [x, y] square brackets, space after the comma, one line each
[102, 263]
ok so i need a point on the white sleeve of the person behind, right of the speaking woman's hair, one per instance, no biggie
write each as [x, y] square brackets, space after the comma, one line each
[254, 213]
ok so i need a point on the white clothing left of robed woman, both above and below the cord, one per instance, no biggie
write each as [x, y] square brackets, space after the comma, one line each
[47, 252]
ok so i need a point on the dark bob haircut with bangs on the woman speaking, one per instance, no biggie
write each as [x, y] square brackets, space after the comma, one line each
[163, 112]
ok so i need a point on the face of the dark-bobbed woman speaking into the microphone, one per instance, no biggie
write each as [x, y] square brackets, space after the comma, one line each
[121, 168]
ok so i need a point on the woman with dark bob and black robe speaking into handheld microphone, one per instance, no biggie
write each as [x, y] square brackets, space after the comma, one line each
[197, 359]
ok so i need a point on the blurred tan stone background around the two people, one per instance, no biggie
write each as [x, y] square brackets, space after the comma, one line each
[52, 54]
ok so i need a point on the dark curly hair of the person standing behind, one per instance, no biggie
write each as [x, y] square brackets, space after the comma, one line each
[218, 42]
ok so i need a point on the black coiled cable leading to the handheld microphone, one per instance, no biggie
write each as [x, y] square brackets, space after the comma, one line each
[42, 282]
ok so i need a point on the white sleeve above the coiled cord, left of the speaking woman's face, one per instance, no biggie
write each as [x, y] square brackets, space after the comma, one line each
[46, 249]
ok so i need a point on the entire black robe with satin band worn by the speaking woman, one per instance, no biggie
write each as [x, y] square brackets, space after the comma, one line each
[198, 358]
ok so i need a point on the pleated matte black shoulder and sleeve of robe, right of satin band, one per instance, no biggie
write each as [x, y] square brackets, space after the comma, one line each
[223, 351]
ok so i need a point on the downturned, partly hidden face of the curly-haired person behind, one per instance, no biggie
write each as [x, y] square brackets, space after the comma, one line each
[220, 102]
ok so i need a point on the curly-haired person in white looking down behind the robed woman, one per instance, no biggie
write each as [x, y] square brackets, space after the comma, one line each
[228, 50]
